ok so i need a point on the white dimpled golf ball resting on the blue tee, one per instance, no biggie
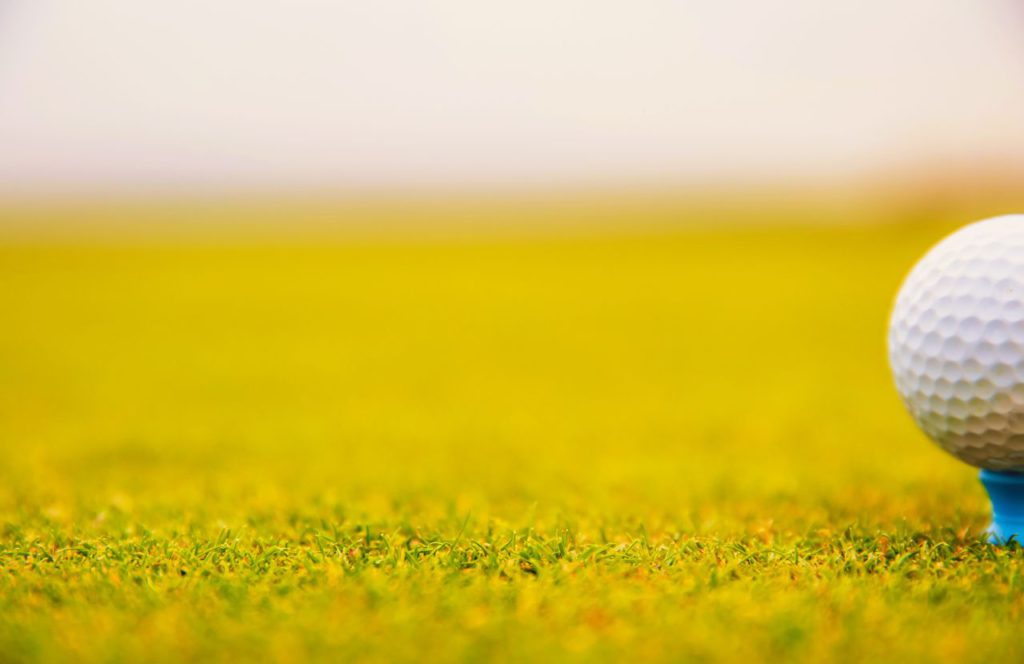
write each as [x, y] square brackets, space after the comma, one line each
[957, 344]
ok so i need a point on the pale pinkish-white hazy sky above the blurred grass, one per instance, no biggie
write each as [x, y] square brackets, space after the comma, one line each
[361, 93]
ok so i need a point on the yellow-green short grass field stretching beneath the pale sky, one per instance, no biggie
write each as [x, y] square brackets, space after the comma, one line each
[607, 446]
